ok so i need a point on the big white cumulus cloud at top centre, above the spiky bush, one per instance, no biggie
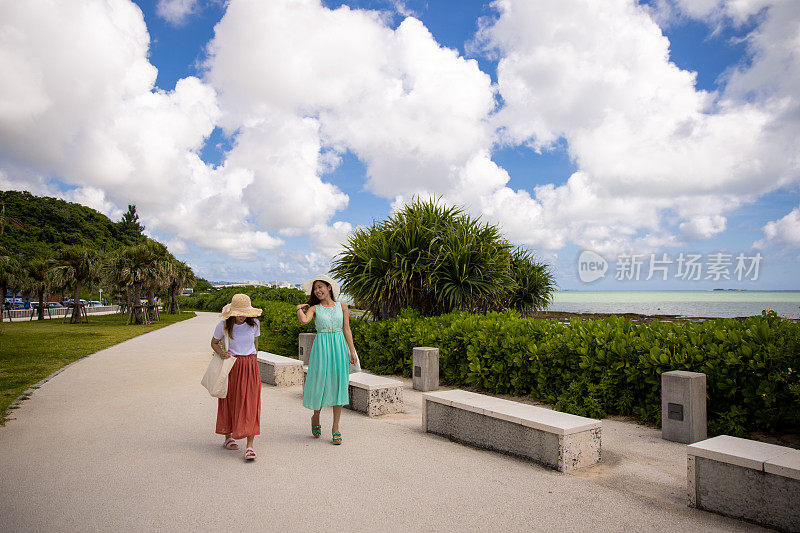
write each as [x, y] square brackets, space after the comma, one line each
[414, 112]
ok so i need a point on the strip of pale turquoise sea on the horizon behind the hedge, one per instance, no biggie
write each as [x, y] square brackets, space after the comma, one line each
[718, 304]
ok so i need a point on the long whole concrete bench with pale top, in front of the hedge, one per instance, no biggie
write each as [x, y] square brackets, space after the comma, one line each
[558, 440]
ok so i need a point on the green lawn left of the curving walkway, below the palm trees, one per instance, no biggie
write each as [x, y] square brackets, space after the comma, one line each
[31, 351]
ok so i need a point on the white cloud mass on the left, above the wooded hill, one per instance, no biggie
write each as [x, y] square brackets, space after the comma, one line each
[79, 101]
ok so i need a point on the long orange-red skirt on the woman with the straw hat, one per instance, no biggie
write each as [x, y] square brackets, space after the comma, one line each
[240, 412]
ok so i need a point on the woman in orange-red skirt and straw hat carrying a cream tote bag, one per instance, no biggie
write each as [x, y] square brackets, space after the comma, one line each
[239, 414]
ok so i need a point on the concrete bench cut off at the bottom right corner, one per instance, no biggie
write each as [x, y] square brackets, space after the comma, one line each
[746, 479]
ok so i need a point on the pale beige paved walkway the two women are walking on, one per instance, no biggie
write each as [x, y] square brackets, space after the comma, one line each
[123, 441]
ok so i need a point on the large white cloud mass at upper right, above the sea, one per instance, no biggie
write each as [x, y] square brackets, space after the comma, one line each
[650, 146]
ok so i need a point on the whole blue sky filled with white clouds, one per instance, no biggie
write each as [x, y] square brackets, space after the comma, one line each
[254, 136]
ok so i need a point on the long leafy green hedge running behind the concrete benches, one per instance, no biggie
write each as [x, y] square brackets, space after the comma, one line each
[610, 366]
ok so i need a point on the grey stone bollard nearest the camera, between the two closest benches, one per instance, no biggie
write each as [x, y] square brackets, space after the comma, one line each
[683, 406]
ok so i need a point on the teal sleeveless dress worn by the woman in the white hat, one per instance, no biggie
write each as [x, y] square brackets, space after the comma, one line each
[329, 362]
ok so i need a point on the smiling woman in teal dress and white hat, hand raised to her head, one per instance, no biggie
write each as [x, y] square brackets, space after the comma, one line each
[331, 355]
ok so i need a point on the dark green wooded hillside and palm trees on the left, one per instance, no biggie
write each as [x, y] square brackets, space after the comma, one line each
[49, 246]
